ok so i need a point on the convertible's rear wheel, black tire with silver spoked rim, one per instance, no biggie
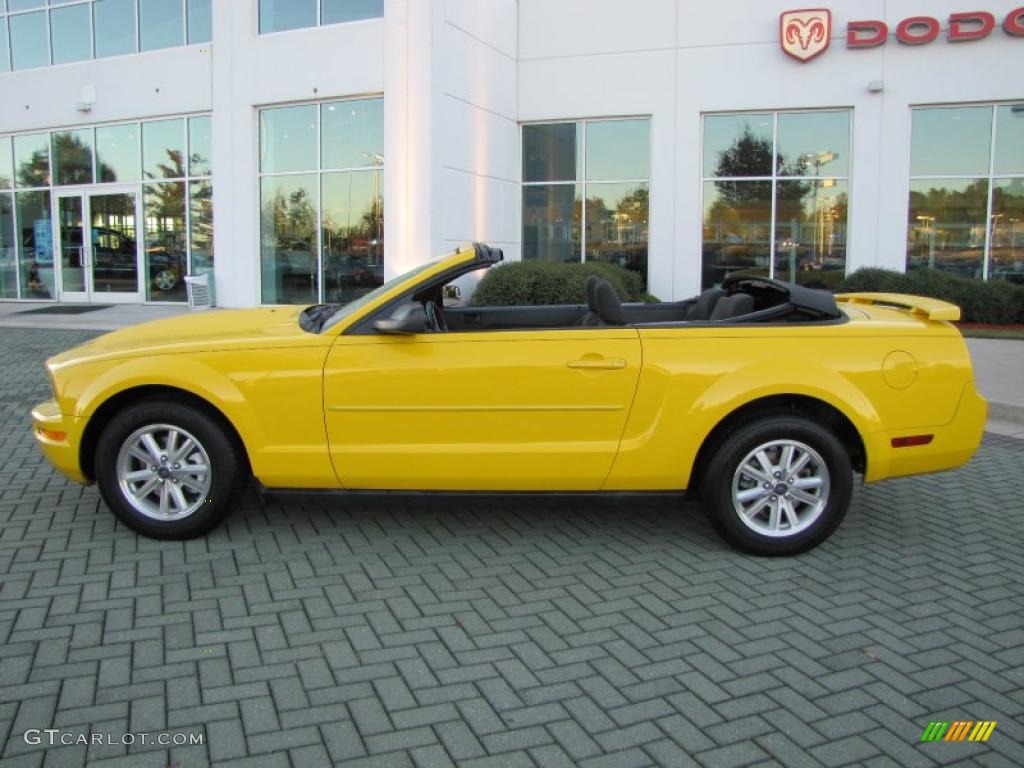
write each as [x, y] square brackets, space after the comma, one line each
[815, 523]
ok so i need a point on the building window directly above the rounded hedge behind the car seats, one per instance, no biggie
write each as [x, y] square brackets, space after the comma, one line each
[606, 163]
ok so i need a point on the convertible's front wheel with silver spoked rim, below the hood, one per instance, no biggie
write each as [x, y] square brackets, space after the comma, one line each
[168, 471]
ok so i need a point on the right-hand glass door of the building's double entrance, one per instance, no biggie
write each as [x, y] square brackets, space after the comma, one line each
[114, 246]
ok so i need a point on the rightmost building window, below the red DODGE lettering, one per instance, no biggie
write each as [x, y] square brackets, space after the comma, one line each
[966, 212]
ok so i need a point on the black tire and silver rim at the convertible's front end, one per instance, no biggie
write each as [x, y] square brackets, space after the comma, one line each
[226, 479]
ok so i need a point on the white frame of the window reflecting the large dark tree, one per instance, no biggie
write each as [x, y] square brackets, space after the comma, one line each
[775, 178]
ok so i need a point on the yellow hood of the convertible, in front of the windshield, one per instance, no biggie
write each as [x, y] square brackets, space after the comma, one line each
[206, 331]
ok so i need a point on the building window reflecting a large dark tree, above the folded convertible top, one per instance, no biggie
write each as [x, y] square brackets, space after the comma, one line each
[776, 196]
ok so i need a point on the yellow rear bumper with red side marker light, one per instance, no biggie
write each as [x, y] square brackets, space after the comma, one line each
[953, 445]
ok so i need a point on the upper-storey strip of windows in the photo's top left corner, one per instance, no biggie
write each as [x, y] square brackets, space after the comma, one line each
[36, 34]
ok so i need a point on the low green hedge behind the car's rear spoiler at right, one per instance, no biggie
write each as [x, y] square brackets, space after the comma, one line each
[995, 302]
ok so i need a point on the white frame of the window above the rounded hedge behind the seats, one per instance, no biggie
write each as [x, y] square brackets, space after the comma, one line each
[583, 183]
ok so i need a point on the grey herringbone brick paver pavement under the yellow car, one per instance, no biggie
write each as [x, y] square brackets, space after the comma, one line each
[505, 633]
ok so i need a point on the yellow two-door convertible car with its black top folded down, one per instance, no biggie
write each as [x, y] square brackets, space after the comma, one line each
[762, 397]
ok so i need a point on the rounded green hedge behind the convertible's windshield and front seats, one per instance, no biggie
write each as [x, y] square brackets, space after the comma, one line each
[533, 283]
